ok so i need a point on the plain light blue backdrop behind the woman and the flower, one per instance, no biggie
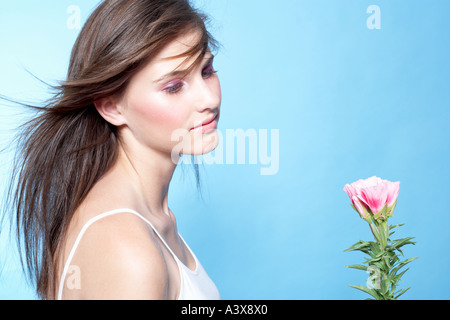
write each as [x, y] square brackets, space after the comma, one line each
[349, 103]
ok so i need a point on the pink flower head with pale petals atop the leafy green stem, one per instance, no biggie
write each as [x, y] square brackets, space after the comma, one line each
[373, 195]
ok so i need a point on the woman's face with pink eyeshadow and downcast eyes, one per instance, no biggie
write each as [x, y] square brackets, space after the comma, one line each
[171, 113]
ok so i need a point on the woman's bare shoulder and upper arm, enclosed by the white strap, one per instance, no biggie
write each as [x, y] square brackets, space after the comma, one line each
[119, 259]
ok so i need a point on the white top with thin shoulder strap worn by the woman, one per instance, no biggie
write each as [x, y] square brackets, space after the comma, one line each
[195, 284]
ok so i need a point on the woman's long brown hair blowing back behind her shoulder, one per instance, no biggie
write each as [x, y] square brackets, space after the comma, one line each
[68, 146]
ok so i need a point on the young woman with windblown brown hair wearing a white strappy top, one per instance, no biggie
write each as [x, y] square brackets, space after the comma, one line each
[95, 165]
